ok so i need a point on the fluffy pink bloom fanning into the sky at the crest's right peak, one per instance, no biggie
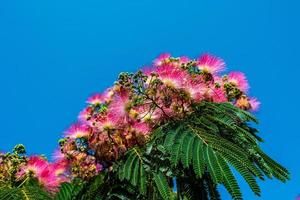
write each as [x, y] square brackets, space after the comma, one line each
[210, 64]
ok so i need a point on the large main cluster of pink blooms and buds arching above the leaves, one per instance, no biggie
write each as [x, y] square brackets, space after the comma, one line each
[125, 114]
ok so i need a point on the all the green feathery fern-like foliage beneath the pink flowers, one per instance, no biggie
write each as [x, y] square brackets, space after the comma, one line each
[198, 151]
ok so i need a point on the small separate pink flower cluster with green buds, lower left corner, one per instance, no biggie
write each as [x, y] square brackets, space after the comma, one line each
[16, 167]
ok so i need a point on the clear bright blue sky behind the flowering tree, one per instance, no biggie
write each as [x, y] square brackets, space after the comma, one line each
[54, 54]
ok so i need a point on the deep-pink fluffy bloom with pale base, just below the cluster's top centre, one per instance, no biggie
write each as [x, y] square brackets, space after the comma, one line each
[172, 76]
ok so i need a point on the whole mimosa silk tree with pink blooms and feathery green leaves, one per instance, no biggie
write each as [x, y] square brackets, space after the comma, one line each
[174, 130]
